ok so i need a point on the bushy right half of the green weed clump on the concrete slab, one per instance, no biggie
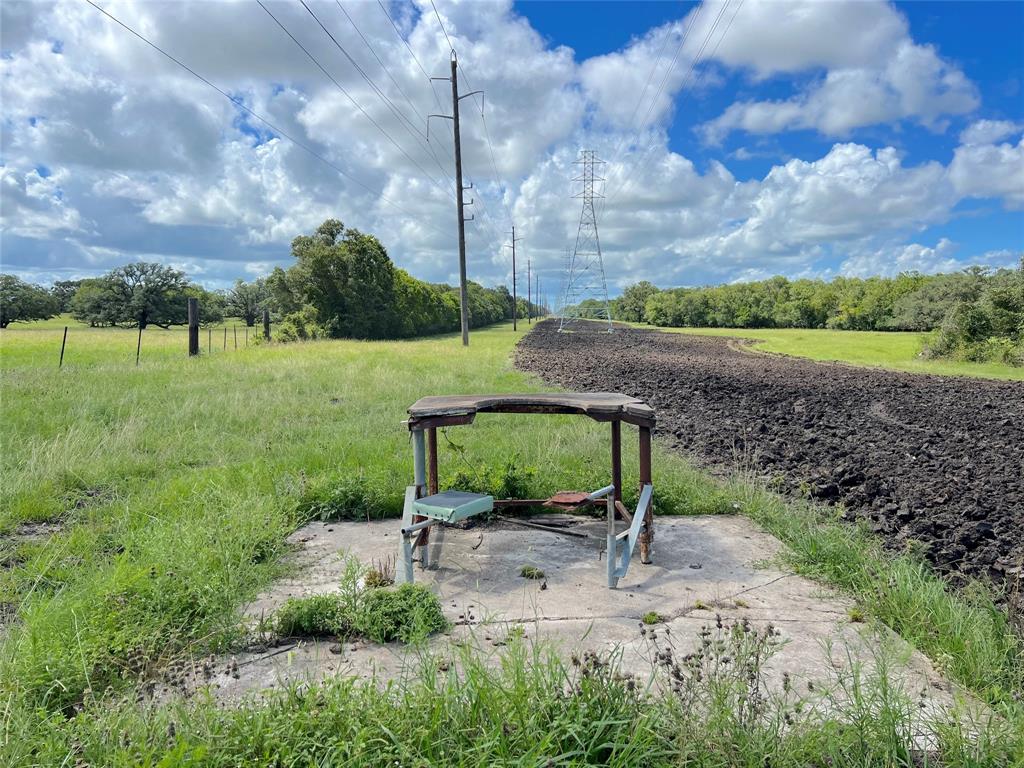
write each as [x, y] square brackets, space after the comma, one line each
[410, 614]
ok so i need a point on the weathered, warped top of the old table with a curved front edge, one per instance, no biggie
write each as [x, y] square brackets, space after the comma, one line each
[460, 409]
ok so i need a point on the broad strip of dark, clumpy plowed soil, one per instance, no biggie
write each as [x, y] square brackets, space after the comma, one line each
[932, 459]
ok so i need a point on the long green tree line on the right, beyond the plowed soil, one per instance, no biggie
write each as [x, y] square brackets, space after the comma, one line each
[975, 315]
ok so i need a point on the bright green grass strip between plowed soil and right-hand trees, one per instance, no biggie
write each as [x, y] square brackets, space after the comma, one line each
[897, 351]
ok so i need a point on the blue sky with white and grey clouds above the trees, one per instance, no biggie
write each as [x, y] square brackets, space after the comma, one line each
[791, 138]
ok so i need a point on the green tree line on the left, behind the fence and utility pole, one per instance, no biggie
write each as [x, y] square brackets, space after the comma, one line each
[343, 284]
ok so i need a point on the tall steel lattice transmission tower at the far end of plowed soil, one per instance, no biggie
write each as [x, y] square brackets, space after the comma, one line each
[585, 279]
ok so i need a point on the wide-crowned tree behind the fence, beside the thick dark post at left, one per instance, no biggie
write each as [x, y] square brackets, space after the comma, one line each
[135, 295]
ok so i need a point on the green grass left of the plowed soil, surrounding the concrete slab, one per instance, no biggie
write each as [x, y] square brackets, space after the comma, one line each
[172, 488]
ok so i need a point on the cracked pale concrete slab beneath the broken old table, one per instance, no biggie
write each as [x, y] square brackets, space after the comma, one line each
[704, 568]
